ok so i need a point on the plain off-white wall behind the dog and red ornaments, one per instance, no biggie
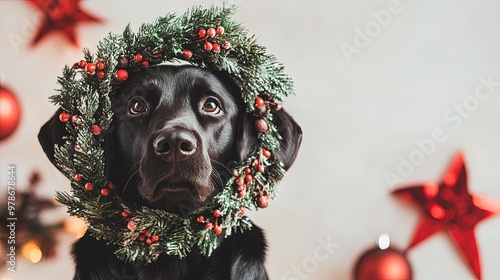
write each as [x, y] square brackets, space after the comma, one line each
[360, 113]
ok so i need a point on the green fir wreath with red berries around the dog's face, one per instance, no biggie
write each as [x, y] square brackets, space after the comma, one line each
[206, 38]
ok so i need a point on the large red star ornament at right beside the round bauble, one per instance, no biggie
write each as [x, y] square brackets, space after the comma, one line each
[450, 207]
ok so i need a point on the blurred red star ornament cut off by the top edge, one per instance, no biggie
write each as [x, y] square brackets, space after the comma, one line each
[62, 16]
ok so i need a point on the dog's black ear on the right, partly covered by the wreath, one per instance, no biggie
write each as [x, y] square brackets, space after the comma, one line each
[289, 130]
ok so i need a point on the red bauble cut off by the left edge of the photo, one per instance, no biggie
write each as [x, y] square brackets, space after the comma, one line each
[10, 112]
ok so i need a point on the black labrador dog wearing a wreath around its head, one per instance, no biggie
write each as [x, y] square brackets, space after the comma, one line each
[176, 131]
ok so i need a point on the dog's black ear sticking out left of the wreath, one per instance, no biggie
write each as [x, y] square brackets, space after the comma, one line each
[50, 134]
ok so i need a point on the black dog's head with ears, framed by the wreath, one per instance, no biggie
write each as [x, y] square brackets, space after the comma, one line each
[176, 132]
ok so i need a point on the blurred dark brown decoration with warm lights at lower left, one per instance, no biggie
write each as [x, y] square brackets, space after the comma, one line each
[34, 239]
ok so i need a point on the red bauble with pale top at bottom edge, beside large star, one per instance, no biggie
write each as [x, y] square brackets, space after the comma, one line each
[382, 263]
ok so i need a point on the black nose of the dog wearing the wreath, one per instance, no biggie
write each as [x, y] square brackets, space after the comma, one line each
[175, 145]
